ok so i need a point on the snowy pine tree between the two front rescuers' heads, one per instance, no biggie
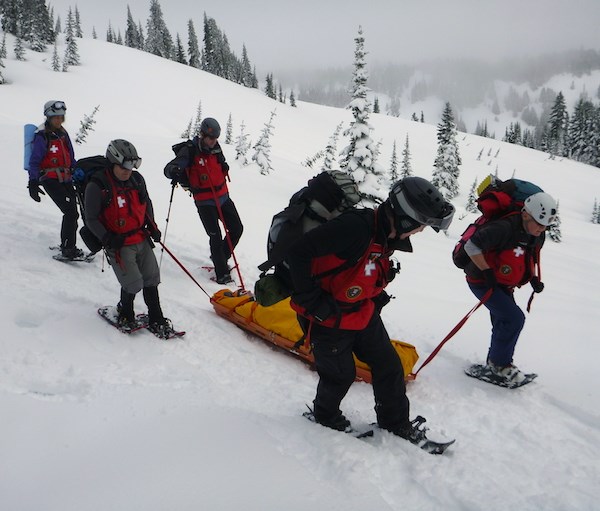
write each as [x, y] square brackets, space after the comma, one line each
[447, 161]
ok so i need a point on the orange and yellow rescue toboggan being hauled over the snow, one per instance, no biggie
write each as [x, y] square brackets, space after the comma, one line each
[278, 325]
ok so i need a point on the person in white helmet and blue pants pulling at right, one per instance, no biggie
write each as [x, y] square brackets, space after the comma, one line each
[504, 254]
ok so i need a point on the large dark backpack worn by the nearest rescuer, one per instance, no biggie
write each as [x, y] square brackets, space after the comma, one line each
[326, 196]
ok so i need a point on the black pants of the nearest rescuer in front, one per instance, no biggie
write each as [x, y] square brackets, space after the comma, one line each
[333, 349]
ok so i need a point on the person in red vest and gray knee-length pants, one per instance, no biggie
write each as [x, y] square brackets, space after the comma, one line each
[119, 212]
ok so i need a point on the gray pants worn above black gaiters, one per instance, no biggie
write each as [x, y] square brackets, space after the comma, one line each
[136, 267]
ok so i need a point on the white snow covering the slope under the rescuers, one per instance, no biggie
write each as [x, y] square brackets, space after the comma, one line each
[95, 420]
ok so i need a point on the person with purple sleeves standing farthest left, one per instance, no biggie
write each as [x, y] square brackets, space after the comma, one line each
[50, 166]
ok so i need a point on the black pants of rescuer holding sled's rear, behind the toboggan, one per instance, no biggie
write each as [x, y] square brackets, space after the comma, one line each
[220, 251]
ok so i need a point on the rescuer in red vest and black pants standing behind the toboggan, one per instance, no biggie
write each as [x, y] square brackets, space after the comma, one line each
[200, 166]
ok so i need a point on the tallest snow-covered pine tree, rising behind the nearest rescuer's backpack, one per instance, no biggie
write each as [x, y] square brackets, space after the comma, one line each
[357, 157]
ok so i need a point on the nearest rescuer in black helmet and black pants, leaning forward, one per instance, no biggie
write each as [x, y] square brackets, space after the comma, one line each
[339, 272]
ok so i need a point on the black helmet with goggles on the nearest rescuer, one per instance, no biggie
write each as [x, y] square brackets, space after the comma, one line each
[415, 201]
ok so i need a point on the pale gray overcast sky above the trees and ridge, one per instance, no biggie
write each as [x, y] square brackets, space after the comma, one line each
[281, 35]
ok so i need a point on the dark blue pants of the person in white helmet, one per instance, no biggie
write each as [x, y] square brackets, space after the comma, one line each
[507, 322]
